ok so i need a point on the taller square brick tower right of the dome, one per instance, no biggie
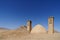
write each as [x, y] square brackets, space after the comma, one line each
[51, 25]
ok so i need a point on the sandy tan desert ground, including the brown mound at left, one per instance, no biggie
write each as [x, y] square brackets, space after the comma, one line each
[22, 34]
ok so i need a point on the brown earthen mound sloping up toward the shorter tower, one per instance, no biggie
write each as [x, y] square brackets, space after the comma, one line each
[14, 33]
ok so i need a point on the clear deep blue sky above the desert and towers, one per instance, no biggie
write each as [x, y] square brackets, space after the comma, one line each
[14, 13]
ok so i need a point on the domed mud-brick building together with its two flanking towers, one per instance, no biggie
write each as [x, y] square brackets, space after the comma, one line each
[39, 28]
